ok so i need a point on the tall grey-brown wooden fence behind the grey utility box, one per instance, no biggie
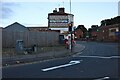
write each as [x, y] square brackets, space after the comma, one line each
[29, 38]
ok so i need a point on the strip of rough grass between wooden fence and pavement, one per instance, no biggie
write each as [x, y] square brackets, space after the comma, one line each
[12, 51]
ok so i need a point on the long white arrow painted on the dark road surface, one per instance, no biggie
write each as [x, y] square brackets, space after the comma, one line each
[65, 65]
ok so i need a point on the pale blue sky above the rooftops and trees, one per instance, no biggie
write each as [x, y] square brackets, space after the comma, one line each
[35, 13]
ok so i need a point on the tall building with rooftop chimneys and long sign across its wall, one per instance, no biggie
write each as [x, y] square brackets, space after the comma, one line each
[59, 19]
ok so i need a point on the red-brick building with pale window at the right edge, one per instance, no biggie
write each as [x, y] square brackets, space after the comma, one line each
[109, 33]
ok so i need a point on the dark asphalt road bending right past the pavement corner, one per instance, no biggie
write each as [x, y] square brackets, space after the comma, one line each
[97, 61]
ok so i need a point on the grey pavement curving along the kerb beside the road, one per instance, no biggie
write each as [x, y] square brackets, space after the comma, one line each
[23, 59]
